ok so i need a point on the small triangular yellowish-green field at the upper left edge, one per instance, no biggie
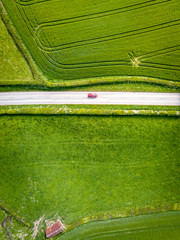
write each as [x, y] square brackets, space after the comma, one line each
[12, 64]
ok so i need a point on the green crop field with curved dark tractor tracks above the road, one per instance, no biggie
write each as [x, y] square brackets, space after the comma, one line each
[72, 40]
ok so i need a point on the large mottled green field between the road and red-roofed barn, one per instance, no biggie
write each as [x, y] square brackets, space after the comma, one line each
[82, 167]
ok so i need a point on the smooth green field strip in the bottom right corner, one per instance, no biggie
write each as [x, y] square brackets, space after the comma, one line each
[161, 226]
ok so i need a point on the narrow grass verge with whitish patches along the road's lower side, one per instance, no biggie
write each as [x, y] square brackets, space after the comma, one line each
[109, 111]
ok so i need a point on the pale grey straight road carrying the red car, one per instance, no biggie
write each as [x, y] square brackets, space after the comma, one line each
[130, 98]
